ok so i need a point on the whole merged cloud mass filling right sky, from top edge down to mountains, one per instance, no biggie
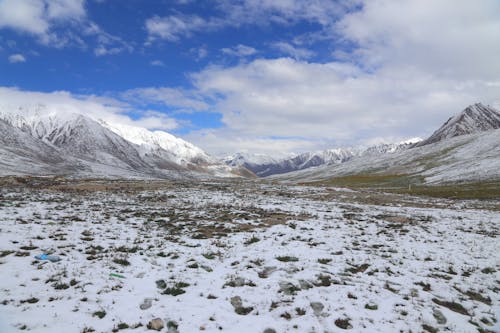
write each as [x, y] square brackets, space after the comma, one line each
[409, 66]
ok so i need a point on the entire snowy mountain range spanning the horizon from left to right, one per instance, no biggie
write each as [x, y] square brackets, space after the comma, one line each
[38, 140]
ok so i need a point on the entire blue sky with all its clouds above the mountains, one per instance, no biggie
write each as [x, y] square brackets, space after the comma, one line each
[256, 76]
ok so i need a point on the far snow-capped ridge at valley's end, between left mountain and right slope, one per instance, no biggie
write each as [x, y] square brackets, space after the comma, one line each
[264, 166]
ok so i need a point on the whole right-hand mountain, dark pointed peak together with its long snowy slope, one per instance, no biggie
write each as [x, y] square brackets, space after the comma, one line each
[465, 149]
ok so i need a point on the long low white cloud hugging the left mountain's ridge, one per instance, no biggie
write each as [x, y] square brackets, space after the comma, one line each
[96, 107]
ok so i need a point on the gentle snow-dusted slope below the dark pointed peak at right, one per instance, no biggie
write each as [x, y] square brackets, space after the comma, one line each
[474, 157]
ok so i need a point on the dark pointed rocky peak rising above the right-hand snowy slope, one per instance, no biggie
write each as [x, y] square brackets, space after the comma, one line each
[473, 119]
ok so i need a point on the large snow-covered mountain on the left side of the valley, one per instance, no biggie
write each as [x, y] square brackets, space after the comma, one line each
[53, 142]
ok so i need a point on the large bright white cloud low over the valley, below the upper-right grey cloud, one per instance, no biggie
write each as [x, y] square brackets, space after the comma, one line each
[333, 102]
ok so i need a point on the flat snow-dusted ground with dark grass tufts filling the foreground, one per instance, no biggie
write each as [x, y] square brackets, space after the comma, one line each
[244, 257]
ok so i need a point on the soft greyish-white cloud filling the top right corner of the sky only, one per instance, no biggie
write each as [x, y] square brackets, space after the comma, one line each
[453, 38]
